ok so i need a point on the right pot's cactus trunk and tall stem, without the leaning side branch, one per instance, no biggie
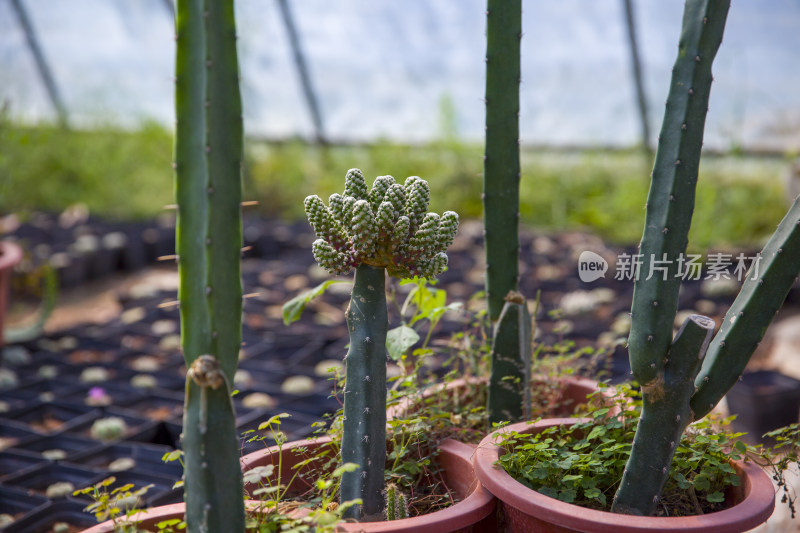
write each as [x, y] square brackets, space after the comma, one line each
[659, 363]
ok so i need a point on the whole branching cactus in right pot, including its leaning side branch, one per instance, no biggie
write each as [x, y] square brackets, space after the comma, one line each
[683, 378]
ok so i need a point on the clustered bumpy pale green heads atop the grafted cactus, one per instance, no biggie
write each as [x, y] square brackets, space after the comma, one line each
[387, 226]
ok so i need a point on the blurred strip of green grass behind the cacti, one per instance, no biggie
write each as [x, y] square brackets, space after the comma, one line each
[127, 175]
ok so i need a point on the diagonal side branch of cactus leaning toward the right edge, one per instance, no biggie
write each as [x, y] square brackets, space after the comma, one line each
[762, 294]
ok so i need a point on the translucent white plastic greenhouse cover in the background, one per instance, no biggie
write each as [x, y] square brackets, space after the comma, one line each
[388, 68]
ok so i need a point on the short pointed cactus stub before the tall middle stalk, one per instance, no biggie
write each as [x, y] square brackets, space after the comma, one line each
[511, 362]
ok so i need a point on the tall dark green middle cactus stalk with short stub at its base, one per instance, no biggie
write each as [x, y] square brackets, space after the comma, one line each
[501, 178]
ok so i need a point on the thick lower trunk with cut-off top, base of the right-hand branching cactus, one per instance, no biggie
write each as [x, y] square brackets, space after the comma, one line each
[665, 414]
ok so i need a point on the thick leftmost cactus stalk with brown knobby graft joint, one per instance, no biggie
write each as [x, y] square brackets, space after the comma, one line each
[208, 155]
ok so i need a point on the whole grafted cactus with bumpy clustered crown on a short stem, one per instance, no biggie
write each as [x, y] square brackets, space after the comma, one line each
[385, 229]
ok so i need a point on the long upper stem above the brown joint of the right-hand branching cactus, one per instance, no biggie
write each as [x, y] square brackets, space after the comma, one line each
[670, 202]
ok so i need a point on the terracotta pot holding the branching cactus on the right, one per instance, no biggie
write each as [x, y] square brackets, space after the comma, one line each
[529, 511]
